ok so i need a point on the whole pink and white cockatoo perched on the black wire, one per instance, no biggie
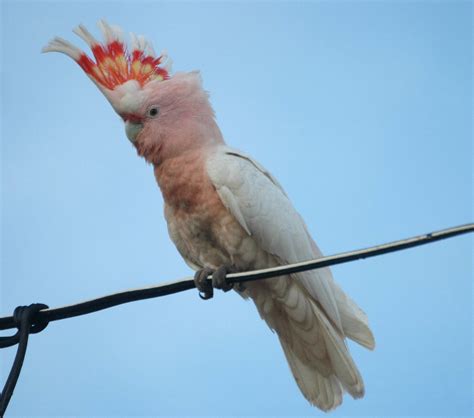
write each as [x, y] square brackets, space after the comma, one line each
[226, 213]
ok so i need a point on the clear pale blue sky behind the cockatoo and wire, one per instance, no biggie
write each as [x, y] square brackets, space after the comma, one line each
[362, 110]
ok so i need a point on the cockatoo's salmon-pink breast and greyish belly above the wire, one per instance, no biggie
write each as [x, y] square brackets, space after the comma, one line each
[205, 233]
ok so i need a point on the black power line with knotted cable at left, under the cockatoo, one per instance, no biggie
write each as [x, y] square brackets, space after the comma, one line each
[36, 317]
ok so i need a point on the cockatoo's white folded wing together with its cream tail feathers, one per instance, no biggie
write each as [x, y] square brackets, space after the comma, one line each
[309, 312]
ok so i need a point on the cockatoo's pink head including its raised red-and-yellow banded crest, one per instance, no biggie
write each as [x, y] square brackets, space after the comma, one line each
[164, 115]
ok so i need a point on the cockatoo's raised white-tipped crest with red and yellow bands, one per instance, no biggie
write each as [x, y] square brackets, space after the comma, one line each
[115, 63]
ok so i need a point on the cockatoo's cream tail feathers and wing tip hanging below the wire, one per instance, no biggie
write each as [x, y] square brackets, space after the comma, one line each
[315, 349]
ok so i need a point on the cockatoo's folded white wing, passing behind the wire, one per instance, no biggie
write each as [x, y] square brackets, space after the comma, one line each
[263, 209]
